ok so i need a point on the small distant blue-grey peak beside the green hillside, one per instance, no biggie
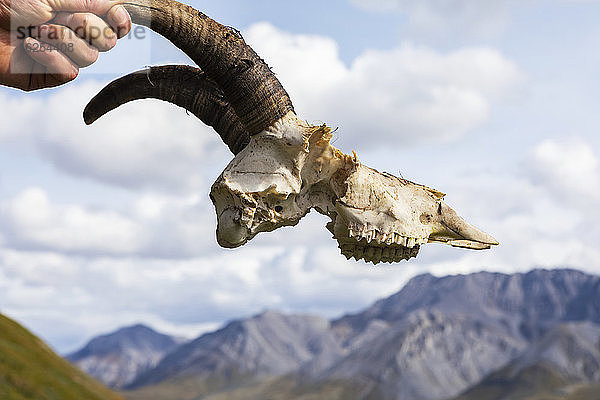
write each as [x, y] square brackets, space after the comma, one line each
[118, 358]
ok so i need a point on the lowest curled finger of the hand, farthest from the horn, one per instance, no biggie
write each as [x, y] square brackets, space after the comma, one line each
[58, 68]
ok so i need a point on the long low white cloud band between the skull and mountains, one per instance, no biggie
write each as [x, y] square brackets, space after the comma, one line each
[84, 296]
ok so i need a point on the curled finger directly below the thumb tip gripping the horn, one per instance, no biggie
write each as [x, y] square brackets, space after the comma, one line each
[89, 27]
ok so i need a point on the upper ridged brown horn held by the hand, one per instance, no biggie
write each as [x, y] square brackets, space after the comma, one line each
[252, 89]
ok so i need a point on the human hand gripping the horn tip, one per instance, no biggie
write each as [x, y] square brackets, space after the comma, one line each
[43, 43]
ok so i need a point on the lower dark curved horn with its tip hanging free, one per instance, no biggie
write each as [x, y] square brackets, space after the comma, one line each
[185, 86]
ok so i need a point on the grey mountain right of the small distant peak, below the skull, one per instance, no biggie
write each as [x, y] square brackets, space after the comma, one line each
[269, 344]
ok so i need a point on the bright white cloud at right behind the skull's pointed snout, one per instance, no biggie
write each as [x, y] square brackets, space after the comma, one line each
[543, 212]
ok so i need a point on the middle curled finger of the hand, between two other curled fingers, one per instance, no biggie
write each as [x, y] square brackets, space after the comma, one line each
[66, 41]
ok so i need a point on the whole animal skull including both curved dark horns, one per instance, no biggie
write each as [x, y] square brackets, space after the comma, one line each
[283, 166]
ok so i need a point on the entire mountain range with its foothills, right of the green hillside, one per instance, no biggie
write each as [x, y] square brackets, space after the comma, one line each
[478, 336]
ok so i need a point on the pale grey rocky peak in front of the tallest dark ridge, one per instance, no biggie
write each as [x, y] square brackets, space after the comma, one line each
[428, 356]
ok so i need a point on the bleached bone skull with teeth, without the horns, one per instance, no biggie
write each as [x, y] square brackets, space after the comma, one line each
[292, 168]
